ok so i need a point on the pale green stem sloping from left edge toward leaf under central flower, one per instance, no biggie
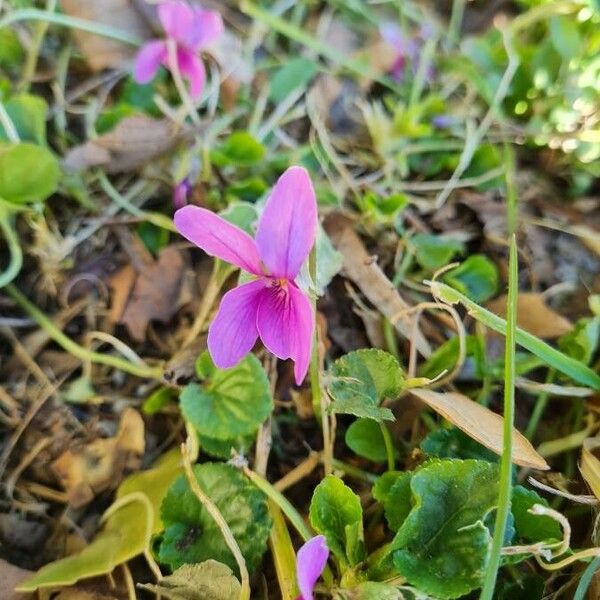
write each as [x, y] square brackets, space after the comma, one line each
[75, 349]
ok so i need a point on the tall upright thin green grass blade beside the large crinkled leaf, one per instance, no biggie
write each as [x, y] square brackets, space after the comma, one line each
[505, 486]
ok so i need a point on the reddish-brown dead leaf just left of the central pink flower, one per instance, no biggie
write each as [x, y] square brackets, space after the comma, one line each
[155, 295]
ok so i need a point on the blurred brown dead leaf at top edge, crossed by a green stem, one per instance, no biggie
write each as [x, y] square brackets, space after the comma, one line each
[102, 52]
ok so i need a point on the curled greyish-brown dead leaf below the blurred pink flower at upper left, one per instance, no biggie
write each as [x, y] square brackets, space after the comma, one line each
[134, 142]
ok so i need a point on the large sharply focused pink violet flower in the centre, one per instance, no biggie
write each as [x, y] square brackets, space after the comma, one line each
[271, 306]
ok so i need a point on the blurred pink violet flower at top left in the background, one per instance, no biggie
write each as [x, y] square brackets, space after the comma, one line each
[190, 30]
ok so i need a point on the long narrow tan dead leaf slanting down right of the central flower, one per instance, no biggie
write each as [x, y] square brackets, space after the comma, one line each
[363, 270]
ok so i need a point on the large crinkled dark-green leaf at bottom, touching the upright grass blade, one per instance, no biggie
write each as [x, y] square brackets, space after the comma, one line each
[443, 545]
